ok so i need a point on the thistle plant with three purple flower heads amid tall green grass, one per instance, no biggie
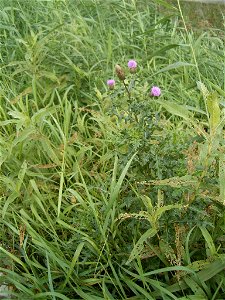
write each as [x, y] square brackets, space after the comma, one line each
[133, 103]
